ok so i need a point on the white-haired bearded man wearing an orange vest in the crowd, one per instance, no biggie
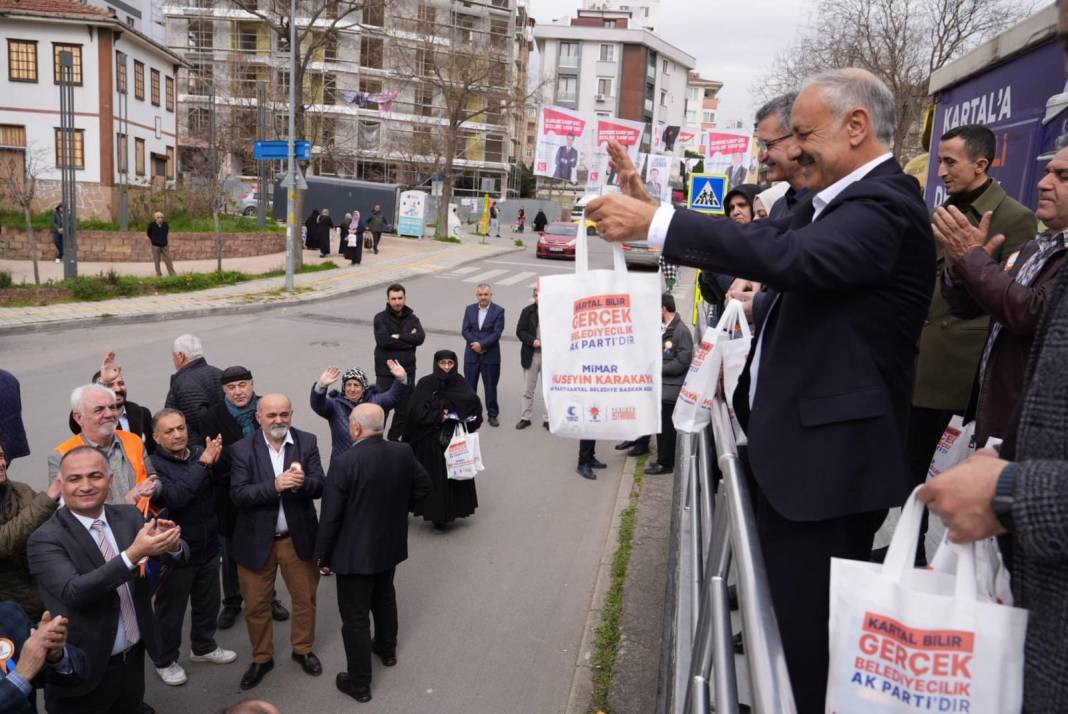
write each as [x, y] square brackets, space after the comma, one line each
[97, 411]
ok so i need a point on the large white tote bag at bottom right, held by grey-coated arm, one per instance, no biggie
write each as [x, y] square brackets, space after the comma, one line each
[908, 640]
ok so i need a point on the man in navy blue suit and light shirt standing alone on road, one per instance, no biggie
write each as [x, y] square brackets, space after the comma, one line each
[483, 325]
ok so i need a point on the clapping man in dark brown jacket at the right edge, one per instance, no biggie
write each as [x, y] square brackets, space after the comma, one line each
[1015, 296]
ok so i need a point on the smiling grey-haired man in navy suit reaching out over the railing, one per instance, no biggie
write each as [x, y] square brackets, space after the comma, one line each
[825, 396]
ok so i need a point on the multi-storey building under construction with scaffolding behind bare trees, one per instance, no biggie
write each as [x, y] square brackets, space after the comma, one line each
[380, 86]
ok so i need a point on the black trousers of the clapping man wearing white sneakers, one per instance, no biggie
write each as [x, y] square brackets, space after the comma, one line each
[196, 585]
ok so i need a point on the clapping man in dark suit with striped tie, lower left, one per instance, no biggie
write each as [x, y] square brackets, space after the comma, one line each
[86, 559]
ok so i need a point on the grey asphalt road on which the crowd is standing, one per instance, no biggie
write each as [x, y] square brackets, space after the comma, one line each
[492, 613]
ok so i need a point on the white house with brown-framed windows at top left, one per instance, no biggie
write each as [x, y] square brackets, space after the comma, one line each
[124, 99]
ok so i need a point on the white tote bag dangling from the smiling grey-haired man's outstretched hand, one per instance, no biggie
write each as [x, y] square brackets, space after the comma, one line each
[602, 352]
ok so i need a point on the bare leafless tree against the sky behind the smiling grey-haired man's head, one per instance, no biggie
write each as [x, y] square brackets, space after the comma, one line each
[902, 42]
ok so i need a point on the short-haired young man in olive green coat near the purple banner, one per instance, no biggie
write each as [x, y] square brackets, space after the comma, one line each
[950, 348]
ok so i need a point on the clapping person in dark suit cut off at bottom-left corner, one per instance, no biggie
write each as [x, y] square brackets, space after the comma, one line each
[39, 656]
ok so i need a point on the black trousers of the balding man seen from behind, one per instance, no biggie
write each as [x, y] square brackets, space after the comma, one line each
[359, 596]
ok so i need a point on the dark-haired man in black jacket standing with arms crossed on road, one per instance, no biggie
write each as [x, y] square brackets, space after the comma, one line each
[398, 335]
